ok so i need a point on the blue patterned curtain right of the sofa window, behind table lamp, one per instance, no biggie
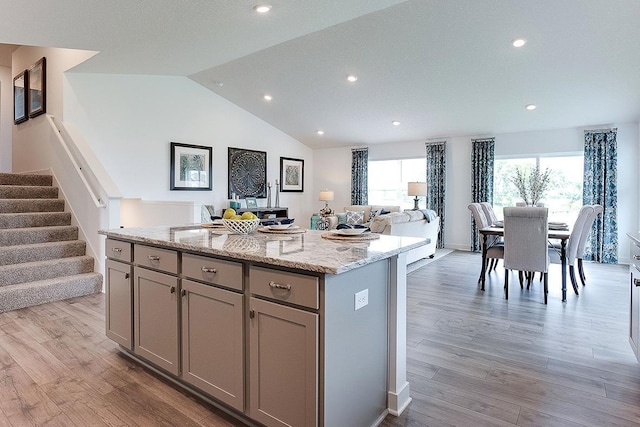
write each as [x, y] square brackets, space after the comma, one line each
[436, 182]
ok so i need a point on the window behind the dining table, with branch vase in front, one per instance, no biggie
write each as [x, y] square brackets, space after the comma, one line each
[564, 193]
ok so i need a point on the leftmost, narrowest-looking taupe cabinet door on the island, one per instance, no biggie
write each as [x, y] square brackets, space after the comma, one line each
[118, 311]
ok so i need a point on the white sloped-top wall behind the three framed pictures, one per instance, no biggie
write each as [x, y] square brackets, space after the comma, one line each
[130, 120]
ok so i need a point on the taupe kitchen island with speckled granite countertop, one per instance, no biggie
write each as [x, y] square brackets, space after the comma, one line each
[279, 329]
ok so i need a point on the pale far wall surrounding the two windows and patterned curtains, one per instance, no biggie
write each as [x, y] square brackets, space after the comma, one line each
[333, 169]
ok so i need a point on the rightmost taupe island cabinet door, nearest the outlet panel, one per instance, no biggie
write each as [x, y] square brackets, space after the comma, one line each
[283, 365]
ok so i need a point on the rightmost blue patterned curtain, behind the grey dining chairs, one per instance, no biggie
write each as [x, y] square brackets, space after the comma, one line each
[600, 187]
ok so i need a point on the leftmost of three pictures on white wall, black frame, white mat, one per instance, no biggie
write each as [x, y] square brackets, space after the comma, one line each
[191, 167]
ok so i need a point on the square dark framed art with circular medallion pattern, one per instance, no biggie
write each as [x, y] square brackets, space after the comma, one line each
[247, 173]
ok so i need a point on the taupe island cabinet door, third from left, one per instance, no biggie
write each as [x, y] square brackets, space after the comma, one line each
[213, 342]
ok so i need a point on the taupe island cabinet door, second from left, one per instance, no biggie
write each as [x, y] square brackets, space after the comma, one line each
[155, 309]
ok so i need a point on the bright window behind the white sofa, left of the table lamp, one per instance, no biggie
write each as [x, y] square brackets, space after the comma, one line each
[388, 181]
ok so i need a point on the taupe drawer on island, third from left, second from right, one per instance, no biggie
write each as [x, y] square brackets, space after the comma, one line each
[214, 271]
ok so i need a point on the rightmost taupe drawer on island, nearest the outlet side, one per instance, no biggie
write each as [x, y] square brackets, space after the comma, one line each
[284, 286]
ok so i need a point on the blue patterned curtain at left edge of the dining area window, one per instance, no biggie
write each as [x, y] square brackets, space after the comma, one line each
[481, 180]
